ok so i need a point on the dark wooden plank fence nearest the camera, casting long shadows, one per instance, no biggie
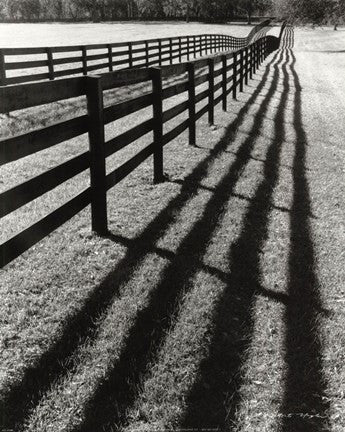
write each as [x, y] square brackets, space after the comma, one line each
[233, 71]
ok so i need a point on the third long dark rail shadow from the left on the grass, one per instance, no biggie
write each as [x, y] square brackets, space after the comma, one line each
[214, 398]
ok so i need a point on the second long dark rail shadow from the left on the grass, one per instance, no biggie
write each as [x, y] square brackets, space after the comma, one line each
[114, 396]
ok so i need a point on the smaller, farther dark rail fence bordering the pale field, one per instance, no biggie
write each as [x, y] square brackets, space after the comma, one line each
[61, 61]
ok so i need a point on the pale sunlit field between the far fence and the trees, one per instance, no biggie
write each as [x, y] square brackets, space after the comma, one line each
[19, 35]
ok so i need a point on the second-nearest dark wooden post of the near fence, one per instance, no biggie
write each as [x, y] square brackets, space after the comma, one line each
[157, 93]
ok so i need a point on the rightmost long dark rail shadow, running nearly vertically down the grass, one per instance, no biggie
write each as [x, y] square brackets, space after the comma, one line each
[304, 407]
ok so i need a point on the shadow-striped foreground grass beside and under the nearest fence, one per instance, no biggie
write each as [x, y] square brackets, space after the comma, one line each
[217, 300]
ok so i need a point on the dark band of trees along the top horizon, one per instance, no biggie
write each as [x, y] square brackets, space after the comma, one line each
[312, 11]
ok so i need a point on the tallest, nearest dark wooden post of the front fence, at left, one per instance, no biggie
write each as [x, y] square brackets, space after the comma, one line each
[97, 155]
